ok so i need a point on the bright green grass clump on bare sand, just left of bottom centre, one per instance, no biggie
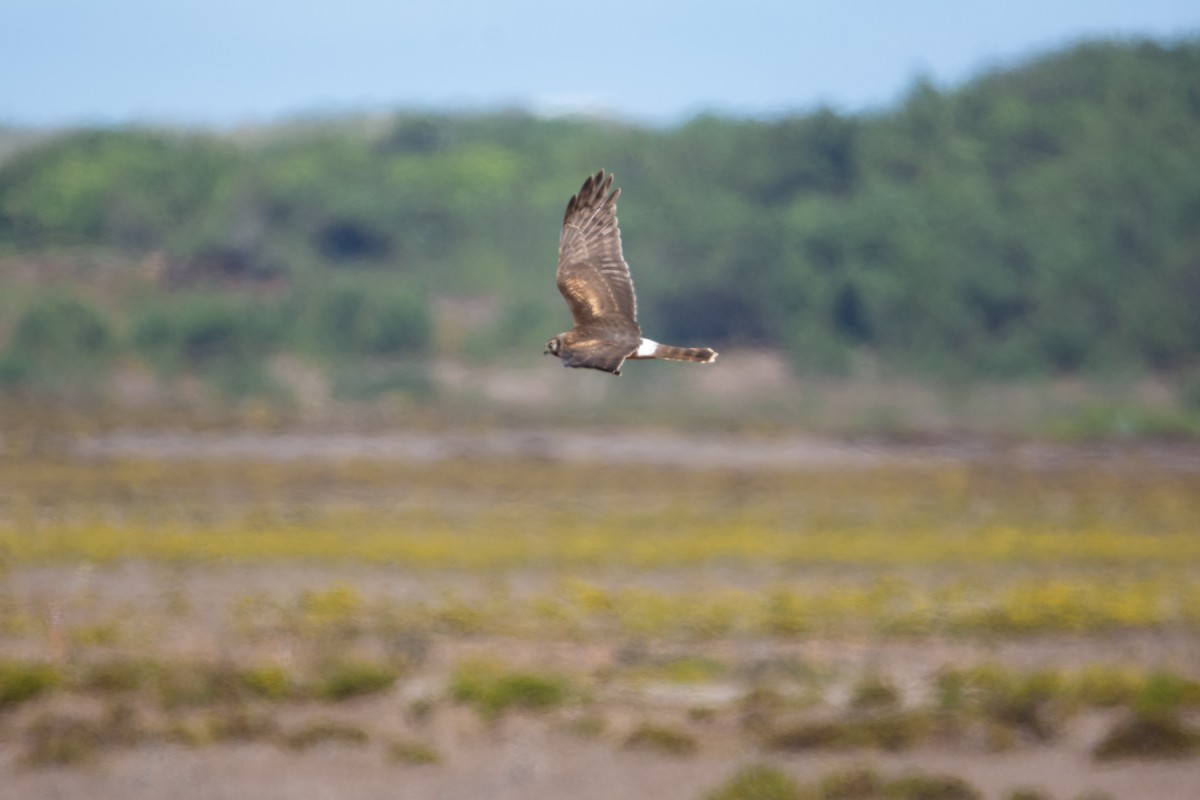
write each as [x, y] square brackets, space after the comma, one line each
[493, 689]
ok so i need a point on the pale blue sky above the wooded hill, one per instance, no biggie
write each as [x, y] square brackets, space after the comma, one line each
[226, 63]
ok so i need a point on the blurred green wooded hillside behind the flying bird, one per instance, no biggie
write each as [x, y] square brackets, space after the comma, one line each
[1040, 220]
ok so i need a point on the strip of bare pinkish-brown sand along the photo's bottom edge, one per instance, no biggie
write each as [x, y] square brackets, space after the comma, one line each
[527, 760]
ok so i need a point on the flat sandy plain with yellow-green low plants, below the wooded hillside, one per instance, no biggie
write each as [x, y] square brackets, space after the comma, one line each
[616, 613]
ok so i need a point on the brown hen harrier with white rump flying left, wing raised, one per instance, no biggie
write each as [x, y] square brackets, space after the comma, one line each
[595, 279]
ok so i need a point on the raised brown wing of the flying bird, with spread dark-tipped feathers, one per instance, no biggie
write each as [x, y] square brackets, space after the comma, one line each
[592, 273]
